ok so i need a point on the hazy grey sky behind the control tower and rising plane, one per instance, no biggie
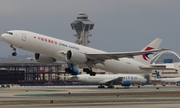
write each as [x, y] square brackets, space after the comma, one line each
[120, 25]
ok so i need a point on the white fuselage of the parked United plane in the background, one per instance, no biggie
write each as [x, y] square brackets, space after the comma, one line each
[103, 79]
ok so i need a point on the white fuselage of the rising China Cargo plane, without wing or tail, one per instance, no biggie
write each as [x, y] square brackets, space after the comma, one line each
[54, 47]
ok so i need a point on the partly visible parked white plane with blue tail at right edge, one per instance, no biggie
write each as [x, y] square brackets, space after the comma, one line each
[167, 80]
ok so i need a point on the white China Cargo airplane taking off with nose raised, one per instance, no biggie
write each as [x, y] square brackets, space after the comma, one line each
[48, 50]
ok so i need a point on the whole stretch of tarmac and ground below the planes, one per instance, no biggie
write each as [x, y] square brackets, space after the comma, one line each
[90, 96]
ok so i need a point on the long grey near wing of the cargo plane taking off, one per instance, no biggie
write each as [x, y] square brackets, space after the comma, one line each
[100, 58]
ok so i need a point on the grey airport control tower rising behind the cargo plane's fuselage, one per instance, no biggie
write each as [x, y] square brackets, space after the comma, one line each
[82, 26]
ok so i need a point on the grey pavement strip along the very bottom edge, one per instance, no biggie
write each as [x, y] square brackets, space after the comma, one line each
[102, 105]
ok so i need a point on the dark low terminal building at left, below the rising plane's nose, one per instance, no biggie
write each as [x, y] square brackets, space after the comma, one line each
[30, 71]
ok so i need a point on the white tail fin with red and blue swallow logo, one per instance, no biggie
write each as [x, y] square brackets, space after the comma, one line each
[146, 58]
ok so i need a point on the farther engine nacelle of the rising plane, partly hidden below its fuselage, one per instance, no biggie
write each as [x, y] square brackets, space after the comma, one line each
[44, 59]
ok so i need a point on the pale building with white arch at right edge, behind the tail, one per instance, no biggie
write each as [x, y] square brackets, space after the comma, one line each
[167, 59]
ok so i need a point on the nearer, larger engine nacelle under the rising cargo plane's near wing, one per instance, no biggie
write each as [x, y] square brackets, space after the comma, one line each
[75, 57]
